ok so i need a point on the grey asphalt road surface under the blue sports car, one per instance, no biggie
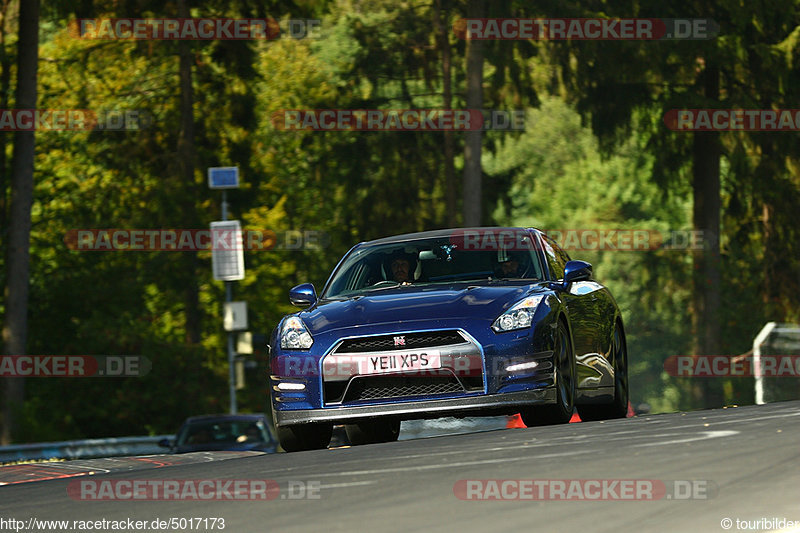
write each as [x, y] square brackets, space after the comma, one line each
[744, 463]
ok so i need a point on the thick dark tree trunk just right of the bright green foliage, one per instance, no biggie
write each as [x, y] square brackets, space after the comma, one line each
[706, 152]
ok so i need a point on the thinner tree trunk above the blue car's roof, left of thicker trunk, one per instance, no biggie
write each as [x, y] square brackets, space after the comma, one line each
[441, 15]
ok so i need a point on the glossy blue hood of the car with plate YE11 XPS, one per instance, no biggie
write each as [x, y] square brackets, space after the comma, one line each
[422, 302]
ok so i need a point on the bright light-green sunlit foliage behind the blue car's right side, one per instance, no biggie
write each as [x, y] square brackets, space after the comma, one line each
[561, 183]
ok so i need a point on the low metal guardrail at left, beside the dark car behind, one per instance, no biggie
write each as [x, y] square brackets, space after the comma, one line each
[83, 449]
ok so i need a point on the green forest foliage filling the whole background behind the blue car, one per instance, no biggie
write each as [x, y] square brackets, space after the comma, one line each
[595, 155]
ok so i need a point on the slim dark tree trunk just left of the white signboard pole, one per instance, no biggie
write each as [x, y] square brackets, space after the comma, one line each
[187, 155]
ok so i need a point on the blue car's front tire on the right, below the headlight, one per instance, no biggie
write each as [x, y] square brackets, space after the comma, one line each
[564, 362]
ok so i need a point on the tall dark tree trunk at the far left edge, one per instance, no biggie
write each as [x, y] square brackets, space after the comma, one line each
[15, 323]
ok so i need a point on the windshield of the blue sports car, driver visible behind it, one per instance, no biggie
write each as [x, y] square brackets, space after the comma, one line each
[427, 261]
